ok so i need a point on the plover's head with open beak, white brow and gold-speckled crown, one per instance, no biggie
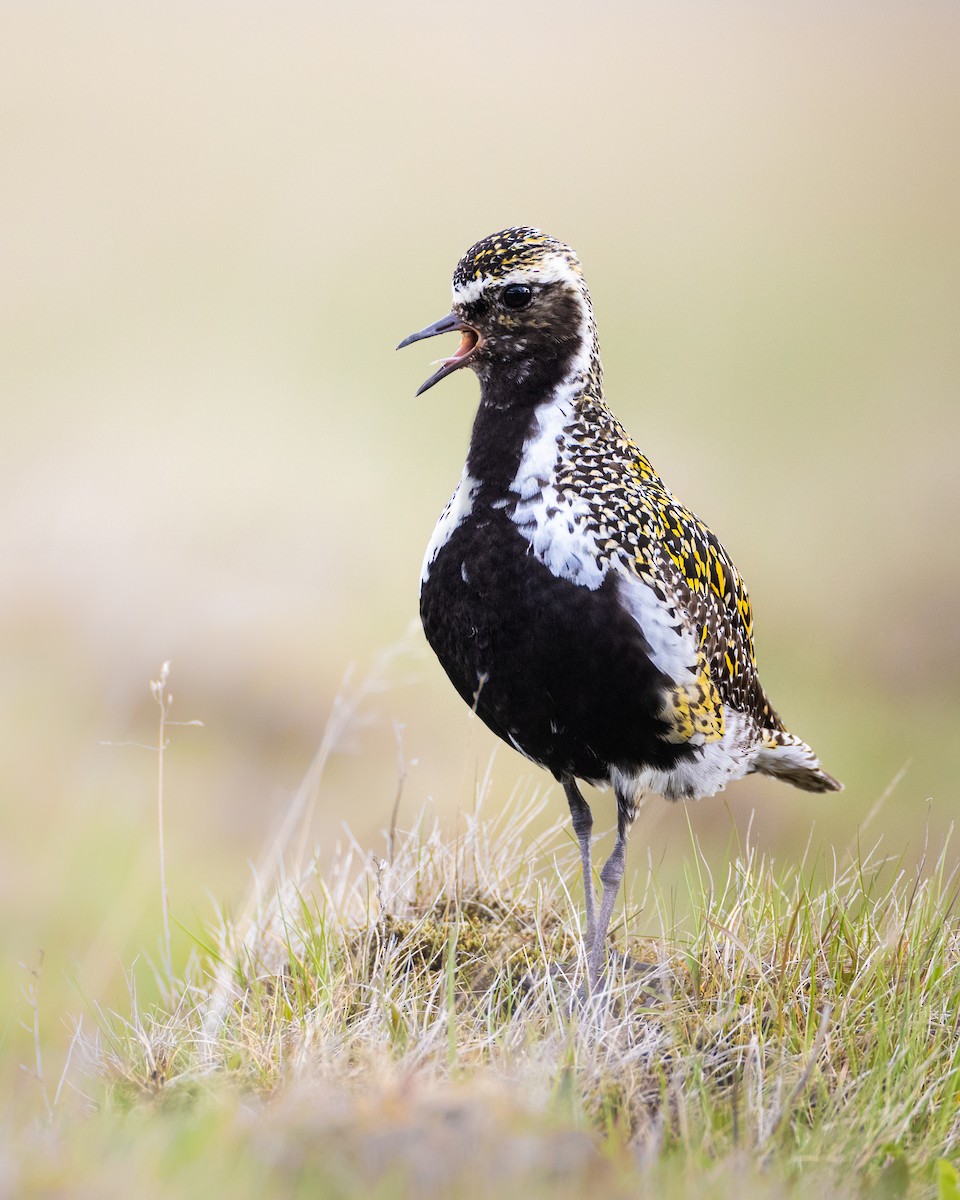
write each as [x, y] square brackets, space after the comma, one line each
[524, 315]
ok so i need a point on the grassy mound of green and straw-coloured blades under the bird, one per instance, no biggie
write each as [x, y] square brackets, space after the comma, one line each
[413, 1025]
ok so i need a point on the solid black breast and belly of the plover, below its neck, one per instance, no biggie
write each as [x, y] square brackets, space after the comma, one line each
[561, 673]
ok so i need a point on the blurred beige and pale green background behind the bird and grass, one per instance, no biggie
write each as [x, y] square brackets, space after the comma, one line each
[218, 223]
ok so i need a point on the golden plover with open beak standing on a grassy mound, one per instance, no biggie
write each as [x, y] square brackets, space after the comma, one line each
[590, 620]
